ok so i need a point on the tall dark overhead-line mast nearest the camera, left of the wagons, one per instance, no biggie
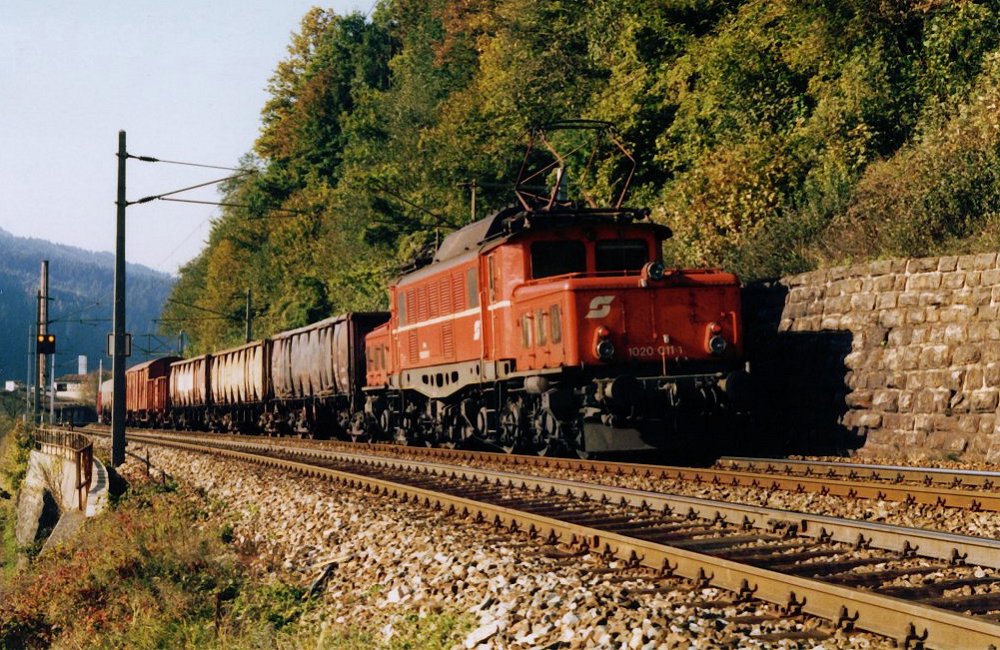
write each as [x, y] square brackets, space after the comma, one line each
[118, 354]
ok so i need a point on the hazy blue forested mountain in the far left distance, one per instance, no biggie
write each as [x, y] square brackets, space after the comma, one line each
[81, 285]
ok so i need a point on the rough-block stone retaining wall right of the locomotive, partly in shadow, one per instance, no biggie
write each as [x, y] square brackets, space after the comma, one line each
[900, 355]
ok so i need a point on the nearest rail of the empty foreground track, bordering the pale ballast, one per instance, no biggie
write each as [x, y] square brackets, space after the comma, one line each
[904, 621]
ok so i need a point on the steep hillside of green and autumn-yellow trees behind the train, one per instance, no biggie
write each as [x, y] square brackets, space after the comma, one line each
[773, 136]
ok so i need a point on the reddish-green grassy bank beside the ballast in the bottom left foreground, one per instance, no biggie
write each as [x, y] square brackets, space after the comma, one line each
[158, 570]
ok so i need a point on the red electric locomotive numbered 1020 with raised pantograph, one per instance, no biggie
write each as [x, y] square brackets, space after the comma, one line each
[554, 326]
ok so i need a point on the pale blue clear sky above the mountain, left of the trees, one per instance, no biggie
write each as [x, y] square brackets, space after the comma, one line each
[185, 79]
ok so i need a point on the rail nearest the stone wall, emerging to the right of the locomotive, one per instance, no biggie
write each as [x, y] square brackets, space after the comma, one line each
[981, 479]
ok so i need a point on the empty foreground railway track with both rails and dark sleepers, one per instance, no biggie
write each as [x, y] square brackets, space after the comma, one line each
[920, 588]
